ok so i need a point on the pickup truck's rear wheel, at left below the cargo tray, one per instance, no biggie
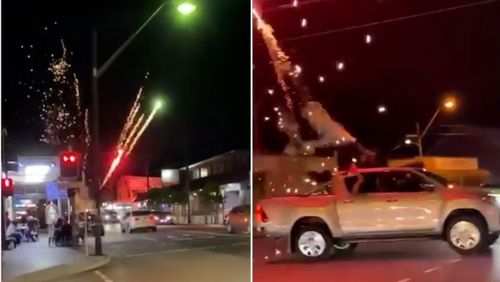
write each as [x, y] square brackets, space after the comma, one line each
[313, 242]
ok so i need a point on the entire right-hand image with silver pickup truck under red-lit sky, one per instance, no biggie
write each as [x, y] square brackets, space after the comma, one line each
[376, 152]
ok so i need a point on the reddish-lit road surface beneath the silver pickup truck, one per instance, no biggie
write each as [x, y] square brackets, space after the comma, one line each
[410, 261]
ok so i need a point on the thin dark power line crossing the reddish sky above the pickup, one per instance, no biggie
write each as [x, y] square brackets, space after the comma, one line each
[391, 20]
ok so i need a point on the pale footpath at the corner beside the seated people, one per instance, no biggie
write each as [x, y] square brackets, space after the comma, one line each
[36, 262]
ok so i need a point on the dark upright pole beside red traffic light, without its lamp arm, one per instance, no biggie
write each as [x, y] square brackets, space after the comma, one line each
[95, 146]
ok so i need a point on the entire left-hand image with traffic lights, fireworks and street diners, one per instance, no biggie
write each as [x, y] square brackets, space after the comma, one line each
[126, 141]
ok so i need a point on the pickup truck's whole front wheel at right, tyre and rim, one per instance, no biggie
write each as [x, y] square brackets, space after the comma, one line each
[467, 234]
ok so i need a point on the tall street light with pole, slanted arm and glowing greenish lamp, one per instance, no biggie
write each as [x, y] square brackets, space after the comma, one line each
[183, 8]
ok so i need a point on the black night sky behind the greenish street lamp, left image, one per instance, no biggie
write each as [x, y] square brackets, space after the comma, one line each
[200, 64]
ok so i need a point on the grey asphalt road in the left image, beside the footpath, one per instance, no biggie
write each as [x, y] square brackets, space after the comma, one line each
[173, 253]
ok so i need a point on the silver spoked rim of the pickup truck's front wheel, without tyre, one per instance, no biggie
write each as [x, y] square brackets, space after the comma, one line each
[465, 235]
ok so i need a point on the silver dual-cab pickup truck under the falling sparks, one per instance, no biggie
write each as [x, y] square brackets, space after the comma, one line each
[380, 204]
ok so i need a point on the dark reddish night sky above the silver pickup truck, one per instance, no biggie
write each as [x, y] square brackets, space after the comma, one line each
[408, 66]
